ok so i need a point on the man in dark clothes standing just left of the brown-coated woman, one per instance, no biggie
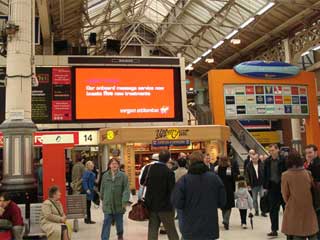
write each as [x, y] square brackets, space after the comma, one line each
[274, 166]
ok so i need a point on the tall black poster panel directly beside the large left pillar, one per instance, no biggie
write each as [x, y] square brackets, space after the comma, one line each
[41, 97]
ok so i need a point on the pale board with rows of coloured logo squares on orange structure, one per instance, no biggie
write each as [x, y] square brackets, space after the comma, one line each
[267, 101]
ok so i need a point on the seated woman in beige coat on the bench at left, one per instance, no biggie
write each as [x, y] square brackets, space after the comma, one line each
[53, 221]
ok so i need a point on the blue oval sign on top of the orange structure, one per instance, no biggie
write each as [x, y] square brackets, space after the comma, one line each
[267, 70]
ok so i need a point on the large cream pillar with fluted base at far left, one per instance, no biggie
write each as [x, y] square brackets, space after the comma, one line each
[18, 126]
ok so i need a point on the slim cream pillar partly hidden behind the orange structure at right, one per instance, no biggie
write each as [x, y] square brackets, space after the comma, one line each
[295, 123]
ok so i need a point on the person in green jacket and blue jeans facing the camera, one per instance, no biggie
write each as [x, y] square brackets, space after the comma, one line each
[115, 194]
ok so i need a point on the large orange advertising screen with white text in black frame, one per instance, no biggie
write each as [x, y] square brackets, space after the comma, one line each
[128, 94]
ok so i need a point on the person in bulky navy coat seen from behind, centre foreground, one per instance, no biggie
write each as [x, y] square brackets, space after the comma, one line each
[197, 196]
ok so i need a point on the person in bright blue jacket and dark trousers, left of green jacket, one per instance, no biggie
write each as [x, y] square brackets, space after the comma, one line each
[88, 181]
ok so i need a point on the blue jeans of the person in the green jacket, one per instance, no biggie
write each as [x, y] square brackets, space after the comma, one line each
[118, 218]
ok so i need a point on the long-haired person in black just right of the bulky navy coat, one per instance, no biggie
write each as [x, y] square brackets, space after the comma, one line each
[228, 174]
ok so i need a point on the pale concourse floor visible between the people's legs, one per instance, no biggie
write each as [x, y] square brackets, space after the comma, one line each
[138, 230]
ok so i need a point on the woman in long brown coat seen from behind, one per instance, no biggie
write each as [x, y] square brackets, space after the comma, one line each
[299, 218]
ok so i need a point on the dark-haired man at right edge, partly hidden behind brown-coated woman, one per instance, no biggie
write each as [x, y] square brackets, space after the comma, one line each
[312, 157]
